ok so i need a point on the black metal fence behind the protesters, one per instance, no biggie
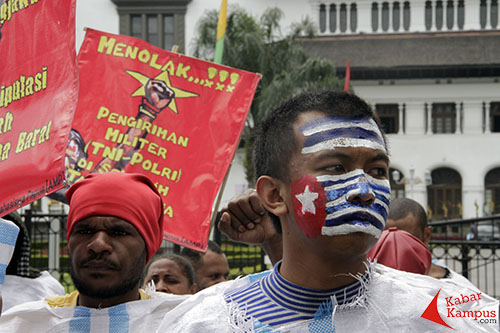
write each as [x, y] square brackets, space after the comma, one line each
[470, 247]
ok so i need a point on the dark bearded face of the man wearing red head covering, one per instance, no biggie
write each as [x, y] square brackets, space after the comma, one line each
[108, 256]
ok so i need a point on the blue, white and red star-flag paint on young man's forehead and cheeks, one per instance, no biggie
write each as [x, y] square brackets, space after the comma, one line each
[346, 203]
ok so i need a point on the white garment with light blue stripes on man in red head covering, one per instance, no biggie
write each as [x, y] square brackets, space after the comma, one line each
[143, 315]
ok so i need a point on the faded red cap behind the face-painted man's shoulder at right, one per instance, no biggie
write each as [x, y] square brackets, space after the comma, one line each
[401, 250]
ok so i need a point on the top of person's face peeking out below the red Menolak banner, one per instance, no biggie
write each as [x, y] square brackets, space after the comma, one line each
[170, 273]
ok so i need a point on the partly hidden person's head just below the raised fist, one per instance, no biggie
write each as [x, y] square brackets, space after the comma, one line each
[210, 267]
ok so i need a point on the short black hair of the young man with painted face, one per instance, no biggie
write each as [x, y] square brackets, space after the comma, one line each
[275, 141]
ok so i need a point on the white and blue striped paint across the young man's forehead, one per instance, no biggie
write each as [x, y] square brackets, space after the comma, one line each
[332, 132]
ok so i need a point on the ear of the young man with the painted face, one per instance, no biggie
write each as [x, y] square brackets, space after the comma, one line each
[271, 191]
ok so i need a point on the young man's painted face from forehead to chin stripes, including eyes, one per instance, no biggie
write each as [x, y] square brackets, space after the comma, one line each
[341, 181]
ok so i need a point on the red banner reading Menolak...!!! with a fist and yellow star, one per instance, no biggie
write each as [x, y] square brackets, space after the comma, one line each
[173, 118]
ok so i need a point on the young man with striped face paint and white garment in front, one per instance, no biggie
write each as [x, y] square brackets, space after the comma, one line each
[322, 166]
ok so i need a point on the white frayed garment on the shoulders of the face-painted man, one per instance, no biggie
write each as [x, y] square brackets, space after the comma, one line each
[392, 301]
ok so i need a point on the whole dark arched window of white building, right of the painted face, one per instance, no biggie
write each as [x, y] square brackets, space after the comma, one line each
[445, 194]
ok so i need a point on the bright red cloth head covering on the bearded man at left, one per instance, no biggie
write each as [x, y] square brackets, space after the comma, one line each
[129, 196]
